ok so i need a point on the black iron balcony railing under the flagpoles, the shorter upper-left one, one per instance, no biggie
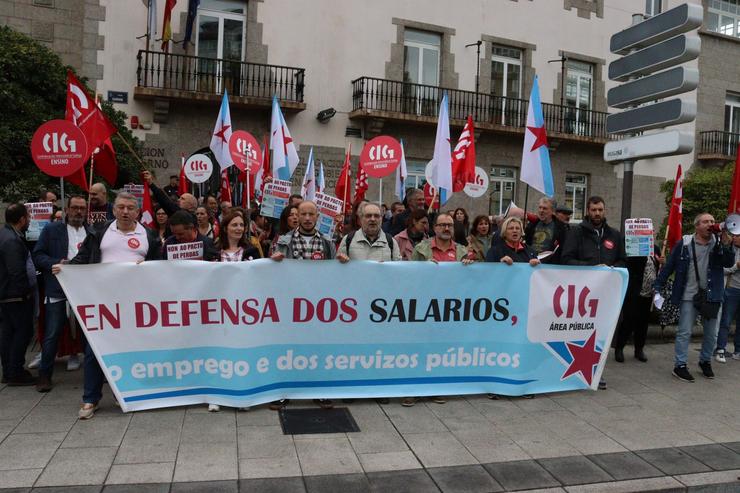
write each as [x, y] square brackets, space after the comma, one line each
[168, 71]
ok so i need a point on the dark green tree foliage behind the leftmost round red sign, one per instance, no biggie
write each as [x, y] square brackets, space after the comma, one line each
[32, 91]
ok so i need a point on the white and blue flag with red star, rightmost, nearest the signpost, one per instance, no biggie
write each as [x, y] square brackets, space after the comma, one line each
[536, 169]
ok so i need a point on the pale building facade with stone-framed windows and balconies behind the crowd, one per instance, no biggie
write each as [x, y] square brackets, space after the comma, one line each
[366, 60]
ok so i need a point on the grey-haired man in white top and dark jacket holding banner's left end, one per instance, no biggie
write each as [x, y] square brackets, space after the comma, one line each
[121, 240]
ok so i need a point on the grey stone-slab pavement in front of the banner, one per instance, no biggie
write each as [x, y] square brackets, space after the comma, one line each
[647, 432]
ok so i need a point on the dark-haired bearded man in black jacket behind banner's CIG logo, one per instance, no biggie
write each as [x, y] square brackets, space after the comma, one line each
[593, 242]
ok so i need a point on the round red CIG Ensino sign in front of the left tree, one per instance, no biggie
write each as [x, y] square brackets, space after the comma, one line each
[59, 148]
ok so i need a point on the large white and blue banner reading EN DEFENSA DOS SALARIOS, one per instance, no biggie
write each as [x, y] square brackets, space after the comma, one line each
[239, 334]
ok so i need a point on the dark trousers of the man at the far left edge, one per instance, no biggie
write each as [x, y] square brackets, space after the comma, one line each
[15, 334]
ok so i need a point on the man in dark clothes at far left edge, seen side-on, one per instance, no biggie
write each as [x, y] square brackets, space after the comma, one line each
[17, 288]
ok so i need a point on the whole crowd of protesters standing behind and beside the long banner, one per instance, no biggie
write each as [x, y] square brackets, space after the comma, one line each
[93, 230]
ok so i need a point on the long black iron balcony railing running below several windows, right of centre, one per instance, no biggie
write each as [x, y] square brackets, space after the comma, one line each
[405, 98]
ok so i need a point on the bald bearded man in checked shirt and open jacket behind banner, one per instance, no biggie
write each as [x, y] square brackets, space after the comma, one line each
[304, 243]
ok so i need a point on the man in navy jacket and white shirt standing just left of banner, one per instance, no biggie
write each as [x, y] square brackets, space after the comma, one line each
[58, 242]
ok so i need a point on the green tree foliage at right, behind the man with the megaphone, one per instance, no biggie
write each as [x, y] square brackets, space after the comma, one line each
[704, 190]
